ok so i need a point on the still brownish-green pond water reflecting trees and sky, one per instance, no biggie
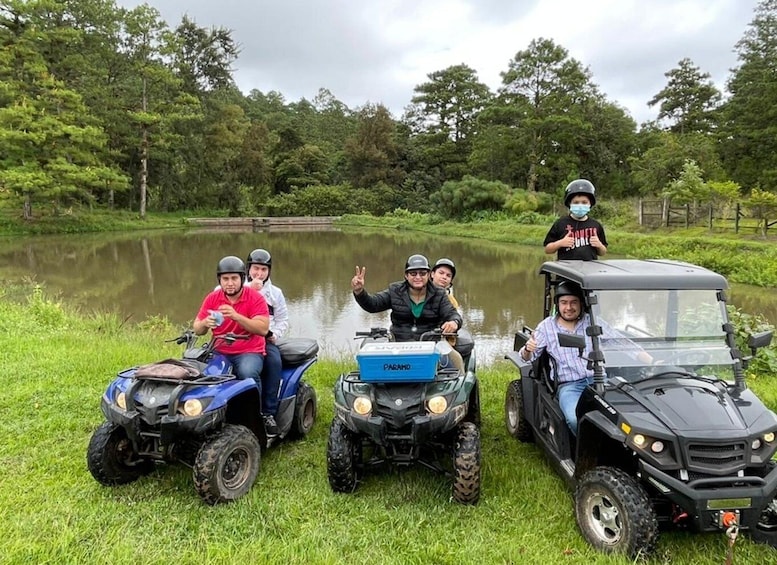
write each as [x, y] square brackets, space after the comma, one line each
[168, 273]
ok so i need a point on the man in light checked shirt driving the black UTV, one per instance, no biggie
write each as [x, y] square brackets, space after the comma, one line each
[572, 374]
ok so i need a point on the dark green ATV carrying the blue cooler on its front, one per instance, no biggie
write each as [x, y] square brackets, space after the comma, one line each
[406, 404]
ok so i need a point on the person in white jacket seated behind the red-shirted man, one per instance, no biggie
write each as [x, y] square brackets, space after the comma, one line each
[259, 264]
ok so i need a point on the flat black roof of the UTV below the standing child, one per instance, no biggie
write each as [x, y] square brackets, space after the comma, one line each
[635, 274]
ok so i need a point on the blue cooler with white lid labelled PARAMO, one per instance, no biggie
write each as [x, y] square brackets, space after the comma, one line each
[405, 361]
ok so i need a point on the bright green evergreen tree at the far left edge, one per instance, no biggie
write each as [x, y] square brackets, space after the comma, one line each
[51, 143]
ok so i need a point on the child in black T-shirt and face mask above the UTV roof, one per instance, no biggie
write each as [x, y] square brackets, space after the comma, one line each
[577, 236]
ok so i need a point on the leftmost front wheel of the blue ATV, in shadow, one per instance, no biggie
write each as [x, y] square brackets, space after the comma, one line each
[111, 458]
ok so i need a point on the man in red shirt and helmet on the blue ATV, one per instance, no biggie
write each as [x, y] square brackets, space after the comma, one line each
[234, 308]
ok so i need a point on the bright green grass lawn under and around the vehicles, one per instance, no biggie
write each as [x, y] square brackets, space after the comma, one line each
[55, 367]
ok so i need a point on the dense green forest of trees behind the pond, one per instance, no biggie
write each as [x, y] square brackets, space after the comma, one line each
[102, 106]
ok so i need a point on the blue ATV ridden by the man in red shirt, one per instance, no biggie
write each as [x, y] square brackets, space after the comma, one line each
[195, 411]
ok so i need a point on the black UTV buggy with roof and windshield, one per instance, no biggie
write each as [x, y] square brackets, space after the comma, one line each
[681, 442]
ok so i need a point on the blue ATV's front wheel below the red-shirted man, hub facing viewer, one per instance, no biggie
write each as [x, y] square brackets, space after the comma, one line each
[227, 464]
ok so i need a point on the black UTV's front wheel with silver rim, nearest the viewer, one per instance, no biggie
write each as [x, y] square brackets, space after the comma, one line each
[614, 513]
